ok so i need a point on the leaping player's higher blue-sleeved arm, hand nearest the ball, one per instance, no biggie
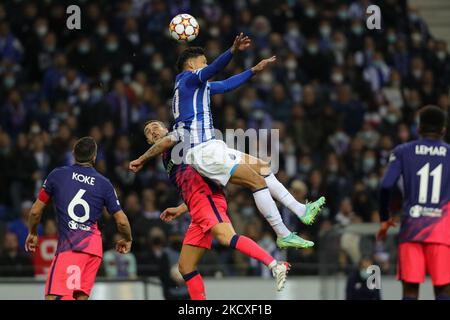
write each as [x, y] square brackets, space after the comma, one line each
[240, 43]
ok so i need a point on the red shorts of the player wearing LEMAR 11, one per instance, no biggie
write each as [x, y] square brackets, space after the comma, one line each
[415, 259]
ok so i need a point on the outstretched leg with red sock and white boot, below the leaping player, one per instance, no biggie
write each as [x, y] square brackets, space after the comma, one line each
[226, 236]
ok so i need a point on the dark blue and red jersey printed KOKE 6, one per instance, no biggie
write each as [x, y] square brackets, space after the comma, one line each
[79, 194]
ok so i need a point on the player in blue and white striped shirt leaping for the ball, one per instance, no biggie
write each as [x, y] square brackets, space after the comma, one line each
[211, 157]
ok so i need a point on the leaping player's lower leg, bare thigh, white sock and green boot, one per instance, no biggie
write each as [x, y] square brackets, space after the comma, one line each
[245, 176]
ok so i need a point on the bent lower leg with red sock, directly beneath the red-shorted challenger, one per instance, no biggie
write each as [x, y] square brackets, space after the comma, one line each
[187, 265]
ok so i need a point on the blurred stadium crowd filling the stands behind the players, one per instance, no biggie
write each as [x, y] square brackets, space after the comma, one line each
[341, 95]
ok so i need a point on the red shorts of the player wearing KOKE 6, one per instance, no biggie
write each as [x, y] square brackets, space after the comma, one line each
[72, 271]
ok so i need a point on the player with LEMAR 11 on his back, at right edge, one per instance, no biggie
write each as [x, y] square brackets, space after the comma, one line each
[424, 239]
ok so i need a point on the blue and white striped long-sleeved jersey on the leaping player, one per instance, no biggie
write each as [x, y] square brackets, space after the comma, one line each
[191, 104]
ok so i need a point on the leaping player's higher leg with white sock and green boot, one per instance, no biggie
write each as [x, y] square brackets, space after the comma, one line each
[305, 212]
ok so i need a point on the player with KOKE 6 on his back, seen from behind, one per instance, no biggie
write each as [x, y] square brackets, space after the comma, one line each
[79, 193]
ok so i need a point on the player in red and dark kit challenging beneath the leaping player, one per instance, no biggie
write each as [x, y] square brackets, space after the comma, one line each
[207, 205]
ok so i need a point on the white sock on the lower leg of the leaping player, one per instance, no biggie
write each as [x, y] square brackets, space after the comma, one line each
[269, 210]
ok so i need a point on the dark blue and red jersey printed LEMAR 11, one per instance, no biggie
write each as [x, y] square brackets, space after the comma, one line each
[424, 166]
